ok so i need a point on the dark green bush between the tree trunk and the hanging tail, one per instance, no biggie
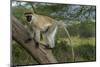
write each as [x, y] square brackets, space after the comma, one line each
[62, 52]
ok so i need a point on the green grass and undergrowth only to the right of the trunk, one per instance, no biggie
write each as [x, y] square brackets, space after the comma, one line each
[84, 49]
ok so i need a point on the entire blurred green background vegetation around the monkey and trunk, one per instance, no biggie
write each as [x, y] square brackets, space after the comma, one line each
[81, 22]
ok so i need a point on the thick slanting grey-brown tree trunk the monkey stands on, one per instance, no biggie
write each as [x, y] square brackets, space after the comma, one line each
[20, 34]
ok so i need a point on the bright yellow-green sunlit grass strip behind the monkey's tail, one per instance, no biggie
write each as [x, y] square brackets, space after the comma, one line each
[76, 40]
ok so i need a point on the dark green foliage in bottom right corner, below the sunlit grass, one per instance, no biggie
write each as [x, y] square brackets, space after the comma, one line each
[85, 51]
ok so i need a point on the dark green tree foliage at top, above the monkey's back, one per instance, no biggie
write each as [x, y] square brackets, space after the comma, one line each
[48, 9]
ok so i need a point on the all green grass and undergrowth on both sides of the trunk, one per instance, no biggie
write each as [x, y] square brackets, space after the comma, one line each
[84, 49]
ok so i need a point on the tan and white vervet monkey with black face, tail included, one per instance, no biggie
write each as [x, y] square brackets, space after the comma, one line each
[47, 26]
